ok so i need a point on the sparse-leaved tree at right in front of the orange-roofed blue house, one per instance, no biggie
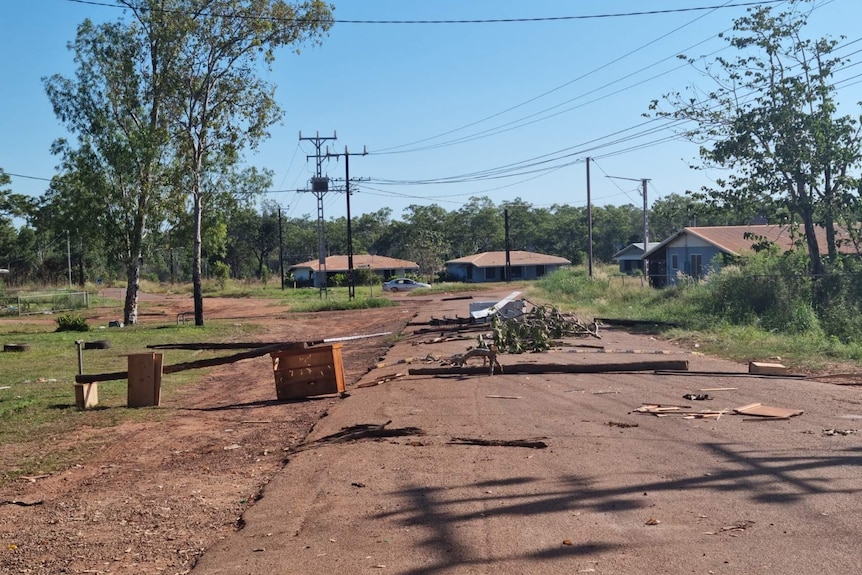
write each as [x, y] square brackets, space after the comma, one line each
[772, 120]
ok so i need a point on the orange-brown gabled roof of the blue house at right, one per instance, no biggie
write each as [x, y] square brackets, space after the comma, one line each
[731, 239]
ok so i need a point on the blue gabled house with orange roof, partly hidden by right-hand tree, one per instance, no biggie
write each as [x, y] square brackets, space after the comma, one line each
[696, 251]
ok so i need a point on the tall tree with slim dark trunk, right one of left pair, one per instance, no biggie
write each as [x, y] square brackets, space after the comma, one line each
[222, 104]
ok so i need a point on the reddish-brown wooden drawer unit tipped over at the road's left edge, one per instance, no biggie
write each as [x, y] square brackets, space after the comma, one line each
[306, 372]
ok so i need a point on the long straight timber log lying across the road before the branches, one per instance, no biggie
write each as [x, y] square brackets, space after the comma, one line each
[538, 368]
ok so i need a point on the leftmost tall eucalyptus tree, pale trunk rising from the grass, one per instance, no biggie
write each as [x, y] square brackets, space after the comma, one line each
[115, 106]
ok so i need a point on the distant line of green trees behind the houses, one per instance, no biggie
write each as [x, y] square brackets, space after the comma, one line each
[250, 237]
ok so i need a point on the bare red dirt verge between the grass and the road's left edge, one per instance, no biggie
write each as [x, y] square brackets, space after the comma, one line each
[151, 496]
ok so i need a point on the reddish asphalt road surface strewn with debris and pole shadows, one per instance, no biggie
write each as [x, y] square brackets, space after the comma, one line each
[614, 491]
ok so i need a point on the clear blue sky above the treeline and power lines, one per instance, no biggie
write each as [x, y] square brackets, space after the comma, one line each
[438, 101]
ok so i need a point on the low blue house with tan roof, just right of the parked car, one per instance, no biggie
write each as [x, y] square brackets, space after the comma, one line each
[491, 266]
